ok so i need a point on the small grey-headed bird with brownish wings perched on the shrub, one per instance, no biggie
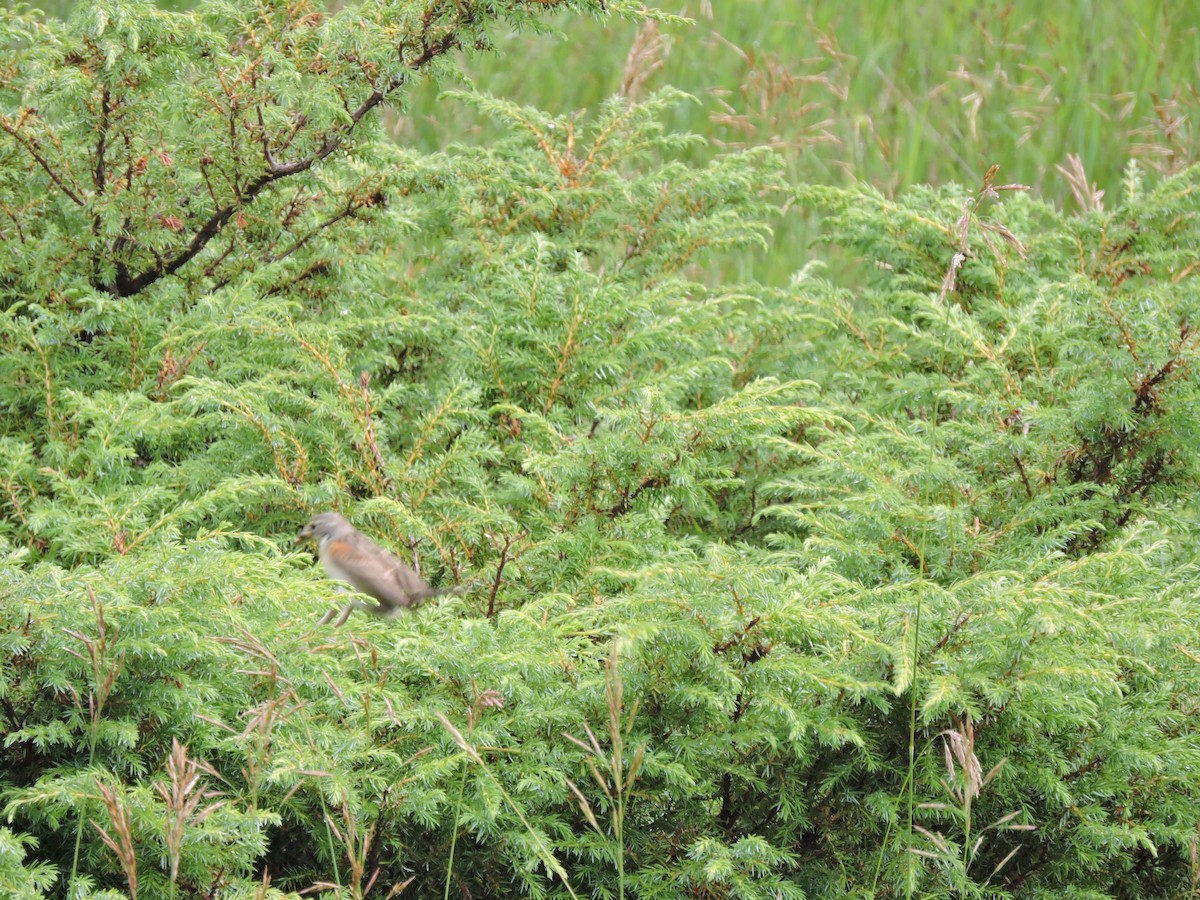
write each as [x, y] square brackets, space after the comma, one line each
[350, 556]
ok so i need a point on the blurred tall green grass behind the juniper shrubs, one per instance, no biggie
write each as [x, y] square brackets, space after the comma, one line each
[890, 93]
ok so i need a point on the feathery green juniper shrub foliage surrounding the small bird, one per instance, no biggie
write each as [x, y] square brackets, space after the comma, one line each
[769, 592]
